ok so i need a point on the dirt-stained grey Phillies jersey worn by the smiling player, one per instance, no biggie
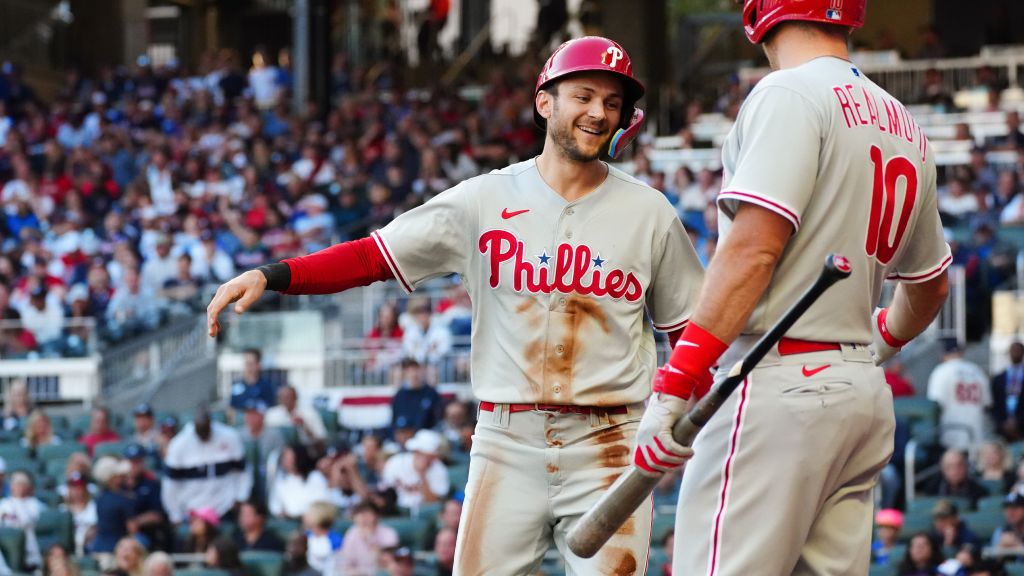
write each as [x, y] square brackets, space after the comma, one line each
[560, 290]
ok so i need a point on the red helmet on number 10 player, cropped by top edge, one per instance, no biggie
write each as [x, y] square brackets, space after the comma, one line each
[762, 16]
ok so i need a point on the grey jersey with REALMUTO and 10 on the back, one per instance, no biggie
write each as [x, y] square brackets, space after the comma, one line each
[844, 161]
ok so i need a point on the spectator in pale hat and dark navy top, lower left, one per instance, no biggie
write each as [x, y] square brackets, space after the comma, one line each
[115, 506]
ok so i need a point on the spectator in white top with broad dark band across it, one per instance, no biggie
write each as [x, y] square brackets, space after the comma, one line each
[205, 467]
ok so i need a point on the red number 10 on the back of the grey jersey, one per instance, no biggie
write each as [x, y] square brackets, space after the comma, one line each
[883, 240]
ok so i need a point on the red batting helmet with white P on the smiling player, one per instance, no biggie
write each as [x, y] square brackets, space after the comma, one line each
[598, 54]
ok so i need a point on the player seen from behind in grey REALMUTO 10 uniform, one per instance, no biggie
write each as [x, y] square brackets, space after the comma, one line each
[821, 159]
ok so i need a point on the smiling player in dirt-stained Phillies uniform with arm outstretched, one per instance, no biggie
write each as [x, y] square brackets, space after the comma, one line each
[562, 255]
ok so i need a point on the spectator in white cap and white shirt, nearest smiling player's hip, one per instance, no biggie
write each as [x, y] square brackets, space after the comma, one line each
[418, 476]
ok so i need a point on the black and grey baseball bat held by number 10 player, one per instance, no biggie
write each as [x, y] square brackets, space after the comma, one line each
[632, 488]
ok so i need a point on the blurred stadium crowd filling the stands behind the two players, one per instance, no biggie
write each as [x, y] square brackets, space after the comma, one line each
[132, 192]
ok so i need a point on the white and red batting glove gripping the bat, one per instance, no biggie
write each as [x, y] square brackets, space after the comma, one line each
[657, 451]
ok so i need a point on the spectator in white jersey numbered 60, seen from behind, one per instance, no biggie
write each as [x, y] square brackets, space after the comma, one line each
[961, 389]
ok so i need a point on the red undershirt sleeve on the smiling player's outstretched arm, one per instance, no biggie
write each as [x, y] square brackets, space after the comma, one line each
[339, 268]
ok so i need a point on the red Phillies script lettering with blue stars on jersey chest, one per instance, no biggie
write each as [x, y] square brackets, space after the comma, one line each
[571, 269]
